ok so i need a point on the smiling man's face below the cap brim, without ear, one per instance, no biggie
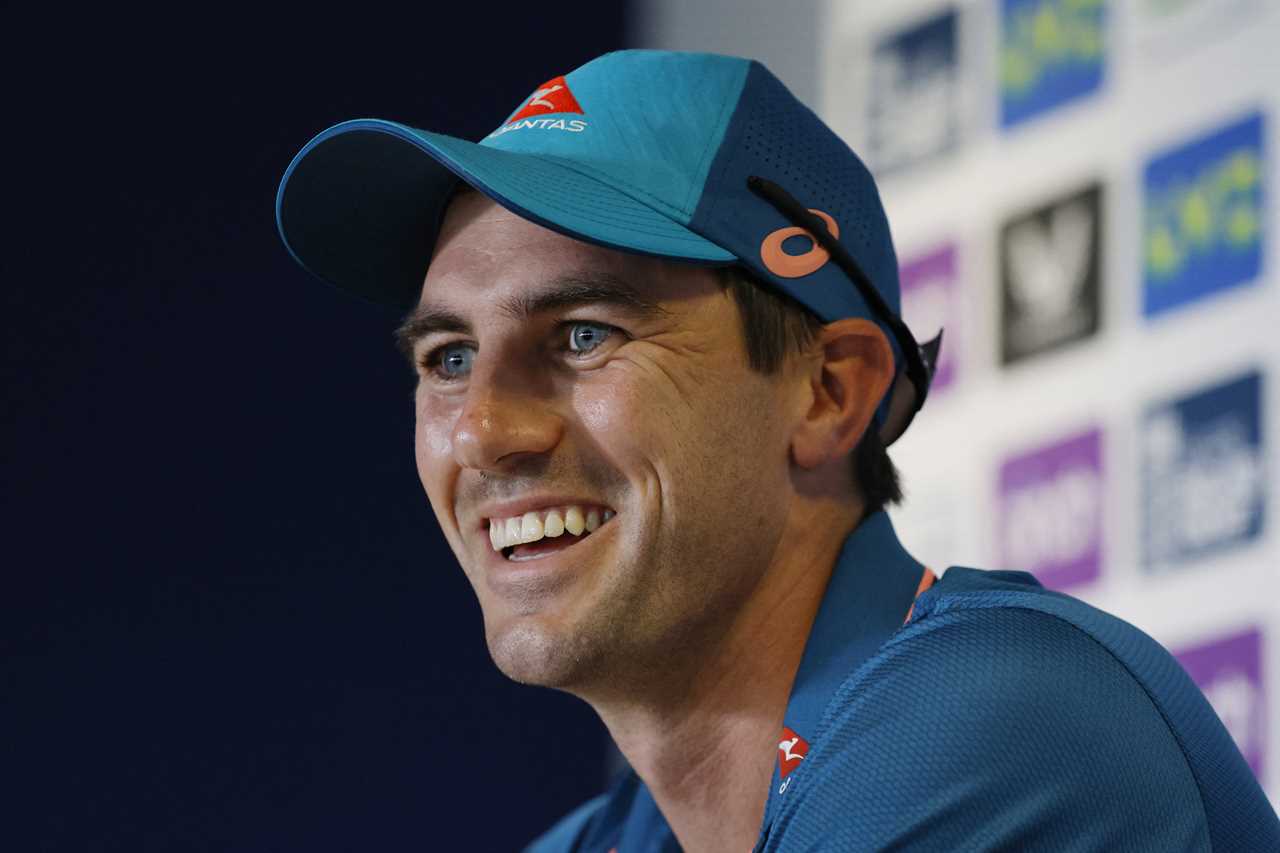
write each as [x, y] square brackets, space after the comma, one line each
[557, 375]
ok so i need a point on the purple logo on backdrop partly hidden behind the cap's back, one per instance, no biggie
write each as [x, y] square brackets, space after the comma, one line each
[931, 303]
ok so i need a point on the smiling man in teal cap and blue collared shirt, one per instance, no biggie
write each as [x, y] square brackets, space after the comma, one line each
[655, 322]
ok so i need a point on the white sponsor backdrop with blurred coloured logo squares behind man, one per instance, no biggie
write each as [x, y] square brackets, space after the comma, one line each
[1081, 195]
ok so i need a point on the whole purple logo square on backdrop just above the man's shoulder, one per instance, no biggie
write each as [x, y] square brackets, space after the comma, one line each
[1052, 512]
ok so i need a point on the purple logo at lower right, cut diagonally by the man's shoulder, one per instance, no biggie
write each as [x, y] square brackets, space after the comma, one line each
[1229, 672]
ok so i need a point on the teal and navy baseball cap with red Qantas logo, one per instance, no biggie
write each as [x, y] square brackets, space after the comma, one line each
[697, 158]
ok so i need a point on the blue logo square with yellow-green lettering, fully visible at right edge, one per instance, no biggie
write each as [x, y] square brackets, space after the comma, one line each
[1203, 217]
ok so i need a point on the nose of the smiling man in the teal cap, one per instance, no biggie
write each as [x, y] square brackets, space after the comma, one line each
[502, 425]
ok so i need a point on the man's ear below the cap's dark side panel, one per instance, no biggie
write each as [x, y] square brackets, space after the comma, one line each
[848, 380]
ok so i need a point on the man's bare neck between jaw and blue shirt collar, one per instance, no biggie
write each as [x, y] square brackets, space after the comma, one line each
[705, 738]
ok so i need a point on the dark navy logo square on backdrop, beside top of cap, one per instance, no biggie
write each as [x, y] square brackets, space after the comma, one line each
[916, 94]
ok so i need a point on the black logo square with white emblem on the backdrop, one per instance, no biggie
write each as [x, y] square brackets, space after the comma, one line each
[1050, 263]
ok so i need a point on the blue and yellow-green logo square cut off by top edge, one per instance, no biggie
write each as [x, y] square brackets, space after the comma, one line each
[1052, 52]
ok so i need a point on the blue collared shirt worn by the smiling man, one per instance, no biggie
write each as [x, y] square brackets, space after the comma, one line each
[977, 713]
